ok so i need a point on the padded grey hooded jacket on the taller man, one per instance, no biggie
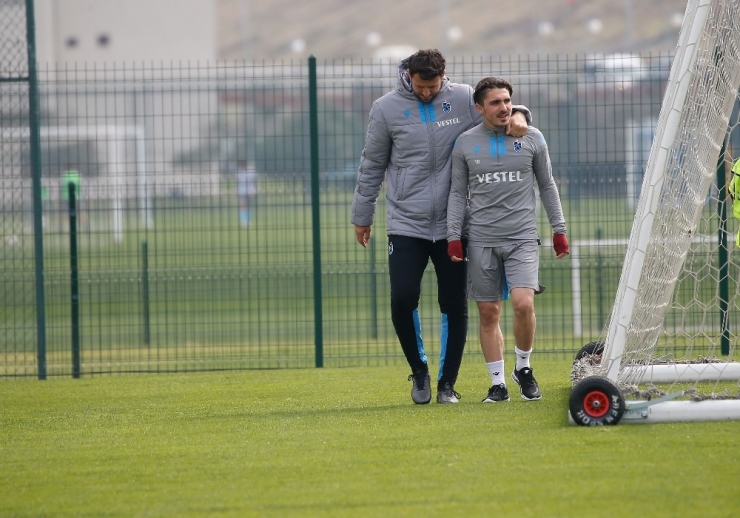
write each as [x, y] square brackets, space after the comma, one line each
[409, 144]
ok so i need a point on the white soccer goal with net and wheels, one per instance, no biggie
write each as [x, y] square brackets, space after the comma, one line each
[667, 352]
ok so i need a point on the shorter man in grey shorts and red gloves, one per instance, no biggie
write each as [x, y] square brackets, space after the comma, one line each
[494, 176]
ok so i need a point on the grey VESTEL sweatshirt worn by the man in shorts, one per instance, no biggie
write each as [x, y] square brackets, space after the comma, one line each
[498, 173]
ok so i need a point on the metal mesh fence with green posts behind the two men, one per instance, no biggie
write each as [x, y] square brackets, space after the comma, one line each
[159, 270]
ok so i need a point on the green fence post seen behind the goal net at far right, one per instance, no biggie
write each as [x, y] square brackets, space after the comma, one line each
[724, 270]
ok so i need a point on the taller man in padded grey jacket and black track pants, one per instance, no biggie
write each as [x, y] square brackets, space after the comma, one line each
[409, 140]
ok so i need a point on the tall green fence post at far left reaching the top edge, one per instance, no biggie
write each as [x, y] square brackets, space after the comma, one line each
[34, 123]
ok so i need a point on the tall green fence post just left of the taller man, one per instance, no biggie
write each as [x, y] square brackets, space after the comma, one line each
[315, 211]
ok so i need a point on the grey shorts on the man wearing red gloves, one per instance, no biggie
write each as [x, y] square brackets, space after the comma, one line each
[492, 271]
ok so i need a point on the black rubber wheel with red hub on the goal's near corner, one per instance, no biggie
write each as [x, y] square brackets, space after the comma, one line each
[596, 401]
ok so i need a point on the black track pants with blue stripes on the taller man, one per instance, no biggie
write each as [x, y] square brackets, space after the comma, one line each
[407, 260]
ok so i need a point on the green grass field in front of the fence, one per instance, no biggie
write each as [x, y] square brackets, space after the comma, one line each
[344, 442]
